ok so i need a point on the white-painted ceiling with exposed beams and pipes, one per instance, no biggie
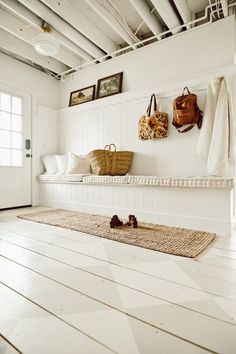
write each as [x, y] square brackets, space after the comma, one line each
[88, 29]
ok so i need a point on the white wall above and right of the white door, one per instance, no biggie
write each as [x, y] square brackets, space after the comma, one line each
[44, 91]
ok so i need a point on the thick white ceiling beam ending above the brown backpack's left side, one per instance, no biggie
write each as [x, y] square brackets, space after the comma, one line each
[167, 13]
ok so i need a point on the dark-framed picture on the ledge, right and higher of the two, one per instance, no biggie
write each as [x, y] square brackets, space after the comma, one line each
[109, 85]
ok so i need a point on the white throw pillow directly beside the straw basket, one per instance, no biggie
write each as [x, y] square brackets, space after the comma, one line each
[78, 164]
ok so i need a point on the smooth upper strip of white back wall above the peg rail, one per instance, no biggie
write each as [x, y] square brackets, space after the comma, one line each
[174, 59]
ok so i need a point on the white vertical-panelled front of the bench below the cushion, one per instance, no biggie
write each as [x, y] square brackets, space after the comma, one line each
[197, 208]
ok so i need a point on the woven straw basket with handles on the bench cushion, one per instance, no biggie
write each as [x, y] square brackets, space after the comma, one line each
[110, 162]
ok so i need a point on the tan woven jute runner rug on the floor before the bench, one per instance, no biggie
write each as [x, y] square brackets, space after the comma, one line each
[172, 240]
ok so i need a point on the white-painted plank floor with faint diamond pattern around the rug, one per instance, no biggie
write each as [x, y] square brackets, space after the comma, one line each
[64, 292]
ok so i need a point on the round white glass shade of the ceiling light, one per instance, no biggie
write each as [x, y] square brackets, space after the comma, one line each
[46, 44]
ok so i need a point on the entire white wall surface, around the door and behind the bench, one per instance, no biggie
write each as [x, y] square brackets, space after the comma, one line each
[189, 58]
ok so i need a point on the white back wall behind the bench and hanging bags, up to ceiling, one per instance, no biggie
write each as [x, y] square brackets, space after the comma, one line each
[191, 58]
